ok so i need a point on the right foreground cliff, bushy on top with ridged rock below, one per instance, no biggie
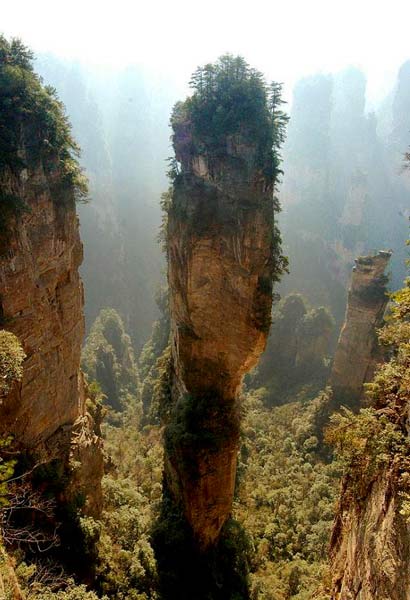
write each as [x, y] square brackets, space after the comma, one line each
[370, 543]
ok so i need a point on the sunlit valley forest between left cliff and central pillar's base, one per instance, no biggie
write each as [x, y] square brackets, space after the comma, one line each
[126, 567]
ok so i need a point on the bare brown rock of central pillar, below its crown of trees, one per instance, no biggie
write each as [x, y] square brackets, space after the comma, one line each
[220, 253]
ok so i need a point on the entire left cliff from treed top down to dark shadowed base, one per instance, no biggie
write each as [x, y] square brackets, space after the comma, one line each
[44, 423]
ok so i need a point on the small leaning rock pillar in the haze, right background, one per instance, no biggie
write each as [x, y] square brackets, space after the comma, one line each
[357, 351]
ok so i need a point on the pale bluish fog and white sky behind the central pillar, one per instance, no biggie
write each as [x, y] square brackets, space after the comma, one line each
[120, 67]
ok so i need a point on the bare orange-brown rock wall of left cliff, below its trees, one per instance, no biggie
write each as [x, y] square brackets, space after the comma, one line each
[41, 302]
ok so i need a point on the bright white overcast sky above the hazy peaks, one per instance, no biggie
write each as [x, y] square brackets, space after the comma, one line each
[285, 39]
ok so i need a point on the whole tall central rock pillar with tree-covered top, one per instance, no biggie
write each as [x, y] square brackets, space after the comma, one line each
[223, 257]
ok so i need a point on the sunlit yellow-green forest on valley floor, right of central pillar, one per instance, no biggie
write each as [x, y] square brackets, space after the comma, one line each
[285, 499]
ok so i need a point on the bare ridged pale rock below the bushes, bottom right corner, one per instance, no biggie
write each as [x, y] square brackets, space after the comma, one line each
[370, 545]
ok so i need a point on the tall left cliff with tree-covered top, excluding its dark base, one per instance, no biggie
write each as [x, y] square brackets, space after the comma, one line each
[41, 295]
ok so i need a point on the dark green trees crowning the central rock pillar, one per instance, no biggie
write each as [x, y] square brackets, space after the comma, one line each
[229, 98]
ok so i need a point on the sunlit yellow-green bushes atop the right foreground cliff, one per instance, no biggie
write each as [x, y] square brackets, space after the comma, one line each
[376, 439]
